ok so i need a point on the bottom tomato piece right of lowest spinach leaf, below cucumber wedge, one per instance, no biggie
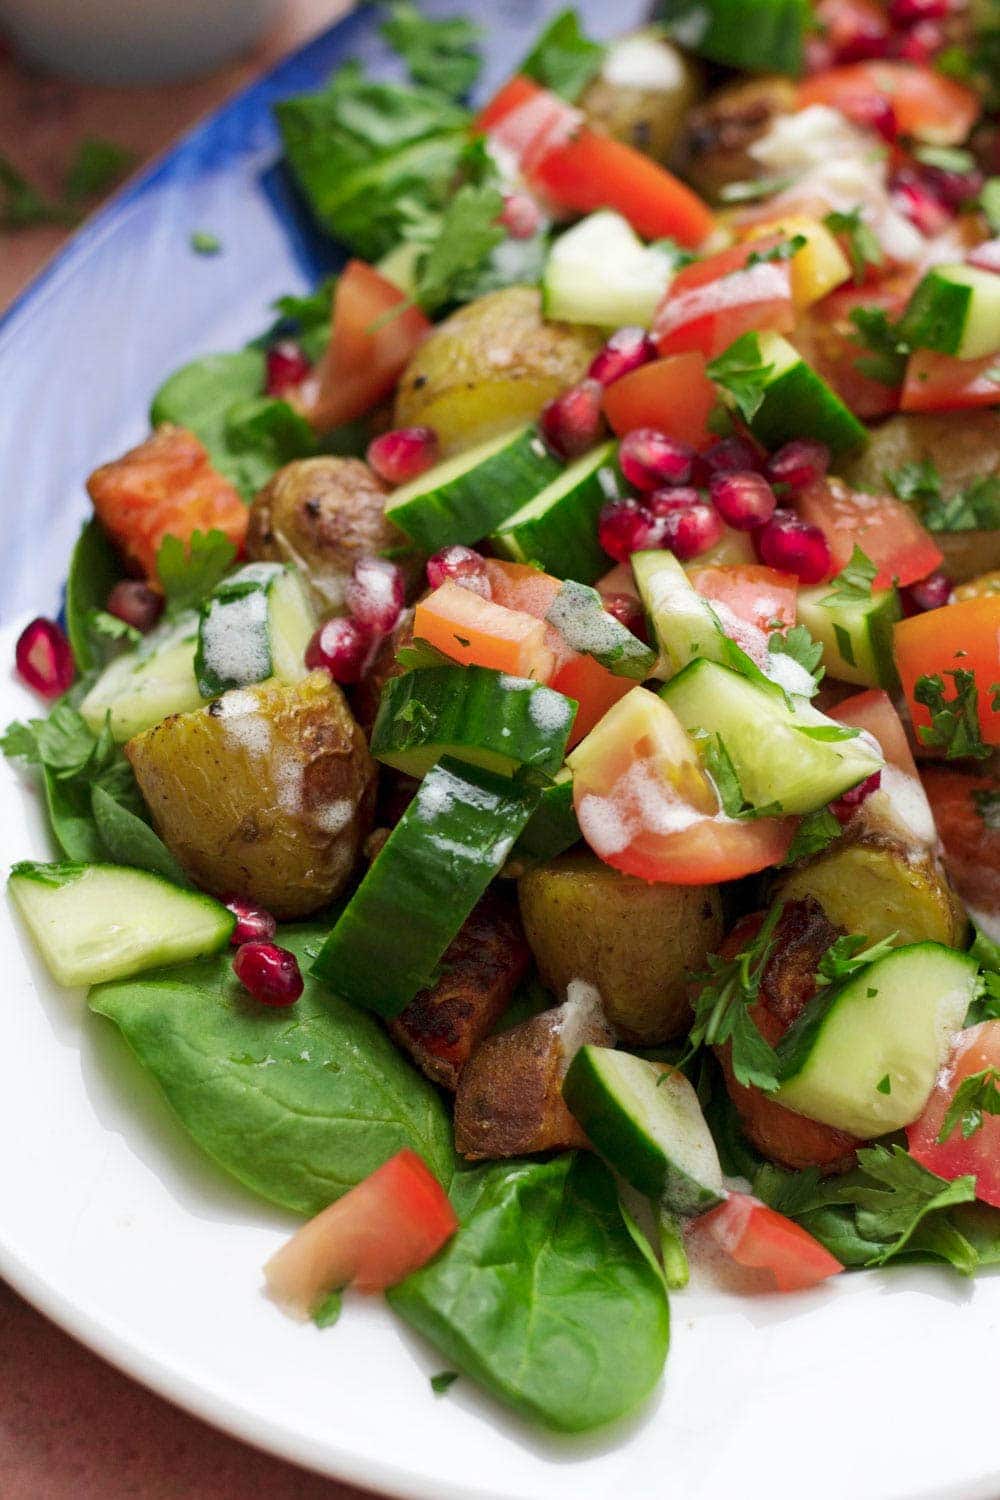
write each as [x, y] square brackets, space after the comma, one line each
[753, 1235]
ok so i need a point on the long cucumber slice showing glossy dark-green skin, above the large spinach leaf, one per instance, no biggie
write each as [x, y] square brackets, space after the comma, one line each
[437, 863]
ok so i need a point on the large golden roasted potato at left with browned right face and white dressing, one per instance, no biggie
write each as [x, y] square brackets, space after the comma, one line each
[266, 794]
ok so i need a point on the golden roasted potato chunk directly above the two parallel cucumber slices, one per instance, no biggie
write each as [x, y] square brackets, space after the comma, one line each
[491, 367]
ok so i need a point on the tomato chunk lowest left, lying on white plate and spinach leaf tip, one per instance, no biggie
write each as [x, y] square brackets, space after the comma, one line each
[382, 1231]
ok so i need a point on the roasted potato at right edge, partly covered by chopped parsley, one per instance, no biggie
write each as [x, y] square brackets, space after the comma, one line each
[963, 446]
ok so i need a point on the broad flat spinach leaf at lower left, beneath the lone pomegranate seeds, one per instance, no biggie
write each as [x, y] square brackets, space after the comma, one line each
[298, 1105]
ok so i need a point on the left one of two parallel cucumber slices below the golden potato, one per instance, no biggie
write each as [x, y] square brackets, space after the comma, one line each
[470, 496]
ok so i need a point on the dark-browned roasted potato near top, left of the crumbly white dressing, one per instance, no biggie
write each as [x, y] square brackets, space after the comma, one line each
[711, 151]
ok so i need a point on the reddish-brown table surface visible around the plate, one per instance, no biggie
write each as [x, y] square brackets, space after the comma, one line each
[71, 1427]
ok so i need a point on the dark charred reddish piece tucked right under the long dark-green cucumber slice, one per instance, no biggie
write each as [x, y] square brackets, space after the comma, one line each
[481, 973]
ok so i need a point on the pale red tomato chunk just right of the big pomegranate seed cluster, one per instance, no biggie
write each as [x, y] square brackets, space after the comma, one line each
[885, 530]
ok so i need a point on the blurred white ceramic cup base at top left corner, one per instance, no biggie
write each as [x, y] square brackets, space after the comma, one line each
[134, 41]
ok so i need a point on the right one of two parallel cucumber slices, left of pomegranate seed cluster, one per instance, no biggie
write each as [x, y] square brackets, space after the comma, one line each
[558, 529]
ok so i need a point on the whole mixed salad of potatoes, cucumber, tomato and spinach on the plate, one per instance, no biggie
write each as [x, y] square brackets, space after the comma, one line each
[521, 748]
